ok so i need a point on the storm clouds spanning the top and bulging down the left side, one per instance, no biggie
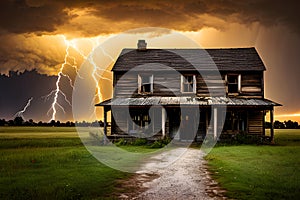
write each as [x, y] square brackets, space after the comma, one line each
[26, 26]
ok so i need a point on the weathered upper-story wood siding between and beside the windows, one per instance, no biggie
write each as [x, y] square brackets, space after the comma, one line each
[207, 84]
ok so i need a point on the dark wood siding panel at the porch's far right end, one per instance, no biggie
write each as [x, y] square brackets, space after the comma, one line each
[255, 122]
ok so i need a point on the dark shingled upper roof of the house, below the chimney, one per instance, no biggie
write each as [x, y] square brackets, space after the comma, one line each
[231, 59]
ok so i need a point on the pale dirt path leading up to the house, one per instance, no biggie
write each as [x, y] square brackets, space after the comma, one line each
[186, 178]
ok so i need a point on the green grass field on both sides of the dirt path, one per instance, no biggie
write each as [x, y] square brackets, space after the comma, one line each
[52, 163]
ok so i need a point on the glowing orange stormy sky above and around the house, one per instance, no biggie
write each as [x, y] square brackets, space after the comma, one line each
[49, 34]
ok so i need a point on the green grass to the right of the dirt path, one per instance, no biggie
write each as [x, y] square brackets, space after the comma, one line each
[259, 172]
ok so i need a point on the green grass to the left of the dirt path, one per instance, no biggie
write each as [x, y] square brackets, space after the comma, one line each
[51, 163]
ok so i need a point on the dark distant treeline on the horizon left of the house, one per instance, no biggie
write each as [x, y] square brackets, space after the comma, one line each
[19, 121]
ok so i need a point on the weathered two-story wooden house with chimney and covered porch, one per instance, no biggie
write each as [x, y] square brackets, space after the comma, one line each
[141, 82]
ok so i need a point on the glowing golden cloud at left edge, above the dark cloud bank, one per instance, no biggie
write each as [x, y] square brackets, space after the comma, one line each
[18, 52]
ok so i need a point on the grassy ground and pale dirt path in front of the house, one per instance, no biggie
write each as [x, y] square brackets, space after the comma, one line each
[52, 163]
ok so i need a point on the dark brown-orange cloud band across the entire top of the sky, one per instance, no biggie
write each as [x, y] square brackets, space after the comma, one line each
[50, 16]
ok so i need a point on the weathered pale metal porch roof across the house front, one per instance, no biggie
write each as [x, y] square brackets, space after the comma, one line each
[202, 101]
